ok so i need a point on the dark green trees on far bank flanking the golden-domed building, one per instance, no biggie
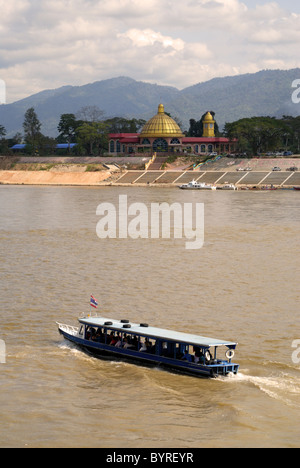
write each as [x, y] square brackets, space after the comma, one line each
[89, 130]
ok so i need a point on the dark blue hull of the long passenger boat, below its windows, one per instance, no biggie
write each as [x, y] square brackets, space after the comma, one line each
[102, 351]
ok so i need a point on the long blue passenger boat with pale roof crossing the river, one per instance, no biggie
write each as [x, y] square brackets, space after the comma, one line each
[149, 346]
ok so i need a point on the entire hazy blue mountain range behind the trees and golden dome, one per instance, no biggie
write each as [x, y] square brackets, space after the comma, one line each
[266, 93]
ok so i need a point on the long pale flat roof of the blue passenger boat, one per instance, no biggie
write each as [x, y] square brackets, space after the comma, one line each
[153, 332]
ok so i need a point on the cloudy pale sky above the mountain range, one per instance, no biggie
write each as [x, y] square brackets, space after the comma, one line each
[45, 44]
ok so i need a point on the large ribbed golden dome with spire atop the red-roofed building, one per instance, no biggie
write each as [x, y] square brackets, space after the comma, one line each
[161, 126]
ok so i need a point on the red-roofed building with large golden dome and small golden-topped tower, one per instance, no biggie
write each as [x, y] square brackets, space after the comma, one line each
[161, 134]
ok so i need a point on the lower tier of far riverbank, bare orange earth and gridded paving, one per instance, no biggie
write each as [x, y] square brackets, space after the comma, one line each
[242, 180]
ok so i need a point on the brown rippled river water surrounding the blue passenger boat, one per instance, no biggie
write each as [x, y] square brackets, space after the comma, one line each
[243, 286]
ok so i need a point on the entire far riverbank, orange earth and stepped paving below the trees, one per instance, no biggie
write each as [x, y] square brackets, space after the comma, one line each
[245, 173]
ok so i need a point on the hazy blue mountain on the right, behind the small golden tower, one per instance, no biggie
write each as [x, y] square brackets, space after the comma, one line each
[266, 93]
